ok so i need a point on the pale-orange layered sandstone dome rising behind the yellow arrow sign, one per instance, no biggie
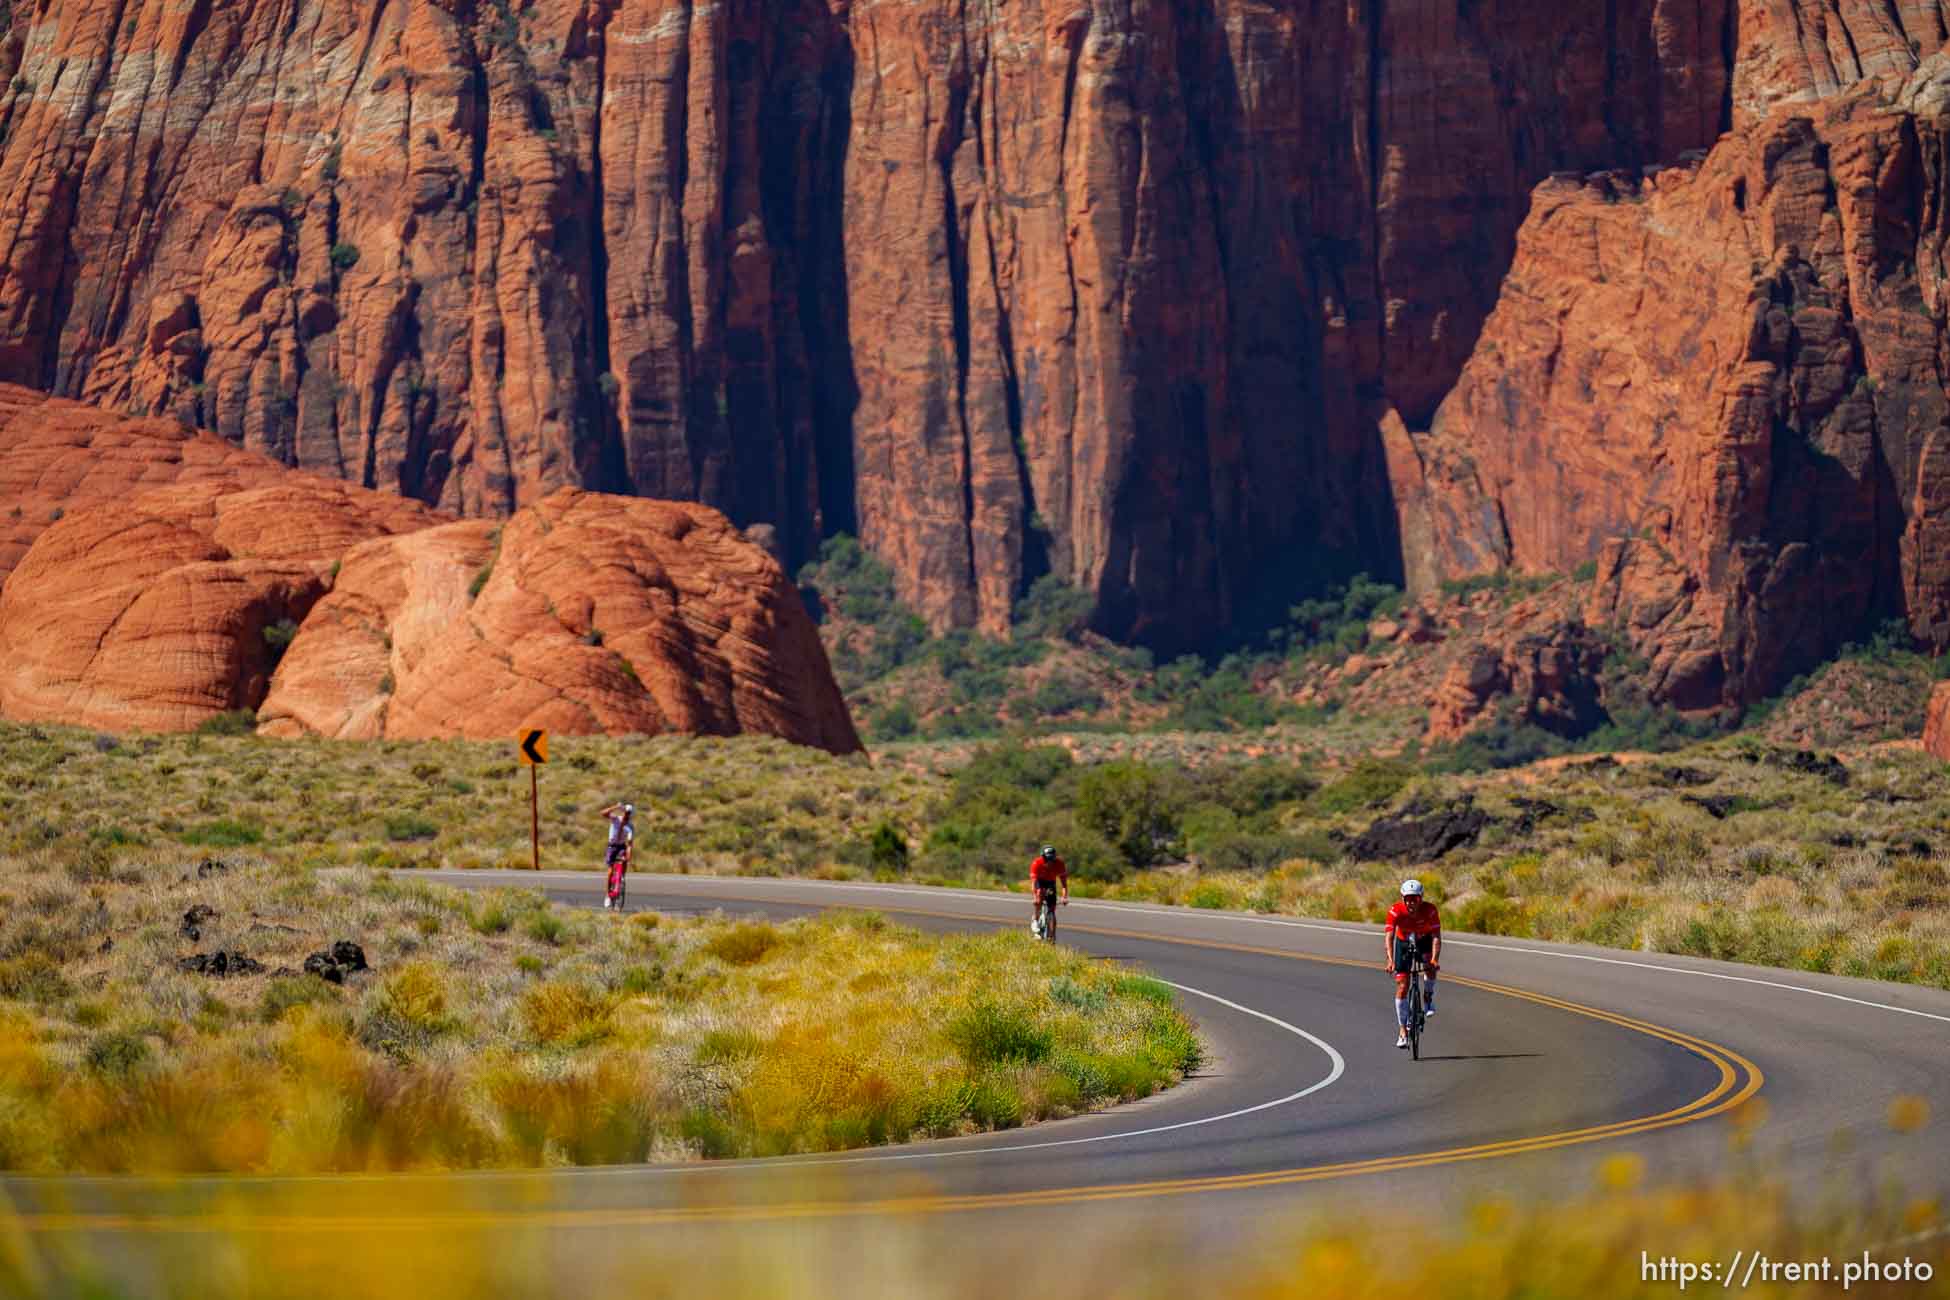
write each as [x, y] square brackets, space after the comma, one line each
[582, 615]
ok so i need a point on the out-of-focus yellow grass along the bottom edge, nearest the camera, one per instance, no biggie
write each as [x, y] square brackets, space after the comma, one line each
[1602, 1244]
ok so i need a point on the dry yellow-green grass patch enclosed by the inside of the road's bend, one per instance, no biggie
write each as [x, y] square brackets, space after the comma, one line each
[485, 1038]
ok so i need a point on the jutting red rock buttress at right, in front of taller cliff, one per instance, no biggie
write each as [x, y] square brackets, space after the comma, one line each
[1727, 391]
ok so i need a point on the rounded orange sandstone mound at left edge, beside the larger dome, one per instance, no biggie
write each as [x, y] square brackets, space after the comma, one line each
[151, 613]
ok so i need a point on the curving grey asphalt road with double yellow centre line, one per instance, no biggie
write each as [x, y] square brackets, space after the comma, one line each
[1543, 1063]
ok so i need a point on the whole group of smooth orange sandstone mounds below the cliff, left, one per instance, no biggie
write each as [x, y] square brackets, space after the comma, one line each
[157, 607]
